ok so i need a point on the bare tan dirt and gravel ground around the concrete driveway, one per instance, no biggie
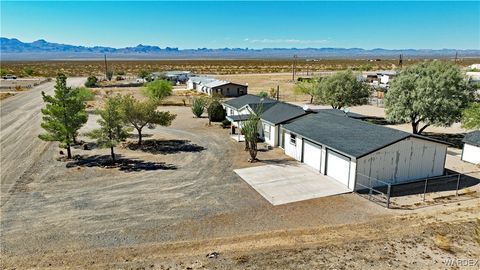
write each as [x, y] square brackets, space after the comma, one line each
[170, 204]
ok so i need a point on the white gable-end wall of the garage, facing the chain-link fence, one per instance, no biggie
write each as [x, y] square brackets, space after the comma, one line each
[404, 161]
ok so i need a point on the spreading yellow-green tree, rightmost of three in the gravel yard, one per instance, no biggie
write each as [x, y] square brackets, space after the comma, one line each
[143, 113]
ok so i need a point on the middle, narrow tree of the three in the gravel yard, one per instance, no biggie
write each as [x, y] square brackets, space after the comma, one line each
[112, 123]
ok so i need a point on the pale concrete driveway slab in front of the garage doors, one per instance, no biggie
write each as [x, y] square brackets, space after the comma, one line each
[282, 184]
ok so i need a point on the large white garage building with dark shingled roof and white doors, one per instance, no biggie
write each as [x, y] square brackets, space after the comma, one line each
[355, 152]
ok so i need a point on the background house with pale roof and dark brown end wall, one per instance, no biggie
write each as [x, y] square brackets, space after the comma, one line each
[211, 86]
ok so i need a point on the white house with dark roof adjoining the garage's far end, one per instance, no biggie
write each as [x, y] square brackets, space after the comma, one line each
[272, 114]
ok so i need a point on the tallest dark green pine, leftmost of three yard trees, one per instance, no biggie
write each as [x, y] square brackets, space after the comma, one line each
[63, 115]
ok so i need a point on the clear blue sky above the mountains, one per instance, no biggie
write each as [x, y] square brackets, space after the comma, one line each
[391, 25]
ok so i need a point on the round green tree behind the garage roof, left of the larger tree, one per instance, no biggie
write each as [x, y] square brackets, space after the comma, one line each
[342, 90]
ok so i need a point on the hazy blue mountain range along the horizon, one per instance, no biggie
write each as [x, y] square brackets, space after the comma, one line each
[14, 49]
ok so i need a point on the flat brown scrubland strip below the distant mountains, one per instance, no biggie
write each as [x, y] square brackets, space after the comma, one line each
[132, 67]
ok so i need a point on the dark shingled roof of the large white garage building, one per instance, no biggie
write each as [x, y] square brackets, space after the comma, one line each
[353, 137]
